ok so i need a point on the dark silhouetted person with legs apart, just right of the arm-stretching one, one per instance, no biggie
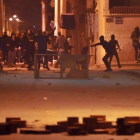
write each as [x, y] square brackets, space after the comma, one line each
[113, 43]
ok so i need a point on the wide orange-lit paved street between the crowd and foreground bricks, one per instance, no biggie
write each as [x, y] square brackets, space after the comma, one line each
[114, 94]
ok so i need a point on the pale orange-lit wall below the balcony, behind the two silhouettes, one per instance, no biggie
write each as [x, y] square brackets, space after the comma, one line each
[123, 33]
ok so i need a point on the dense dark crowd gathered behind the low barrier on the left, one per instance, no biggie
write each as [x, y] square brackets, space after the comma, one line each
[21, 48]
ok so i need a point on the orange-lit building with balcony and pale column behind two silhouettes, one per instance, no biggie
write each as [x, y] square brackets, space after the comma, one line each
[115, 17]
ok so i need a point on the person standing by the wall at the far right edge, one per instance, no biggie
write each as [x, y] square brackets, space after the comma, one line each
[135, 42]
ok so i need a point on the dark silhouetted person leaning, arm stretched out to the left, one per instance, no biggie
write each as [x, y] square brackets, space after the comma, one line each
[108, 50]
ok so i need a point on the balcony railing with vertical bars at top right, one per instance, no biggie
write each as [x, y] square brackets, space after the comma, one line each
[125, 10]
